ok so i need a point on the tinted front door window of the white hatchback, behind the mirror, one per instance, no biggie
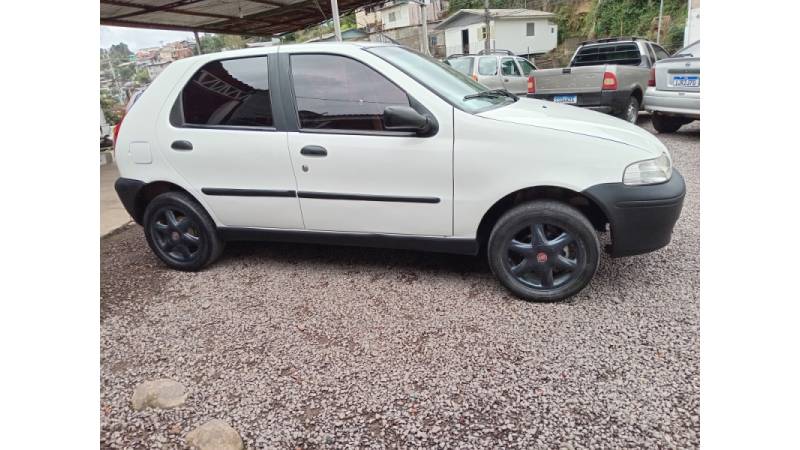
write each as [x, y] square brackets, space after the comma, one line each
[334, 92]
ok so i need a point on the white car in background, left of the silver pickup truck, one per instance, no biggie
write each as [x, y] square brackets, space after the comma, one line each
[499, 69]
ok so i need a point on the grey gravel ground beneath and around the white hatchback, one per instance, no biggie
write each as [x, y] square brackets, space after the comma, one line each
[313, 346]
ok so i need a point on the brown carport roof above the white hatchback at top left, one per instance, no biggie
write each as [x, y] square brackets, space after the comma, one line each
[248, 17]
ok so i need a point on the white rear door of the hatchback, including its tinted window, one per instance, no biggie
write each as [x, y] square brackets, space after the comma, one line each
[221, 138]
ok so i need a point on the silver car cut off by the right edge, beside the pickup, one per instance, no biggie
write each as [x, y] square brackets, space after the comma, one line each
[674, 100]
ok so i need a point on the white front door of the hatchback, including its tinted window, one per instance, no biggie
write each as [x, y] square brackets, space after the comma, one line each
[353, 175]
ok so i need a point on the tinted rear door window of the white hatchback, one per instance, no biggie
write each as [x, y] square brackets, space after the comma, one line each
[232, 92]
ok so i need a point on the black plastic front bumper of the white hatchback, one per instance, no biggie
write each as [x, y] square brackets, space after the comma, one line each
[641, 217]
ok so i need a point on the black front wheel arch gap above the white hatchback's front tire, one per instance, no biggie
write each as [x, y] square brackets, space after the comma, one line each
[586, 205]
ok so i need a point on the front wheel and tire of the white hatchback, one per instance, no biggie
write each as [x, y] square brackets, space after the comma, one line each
[543, 236]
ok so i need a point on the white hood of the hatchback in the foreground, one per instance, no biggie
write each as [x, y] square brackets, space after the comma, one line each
[572, 119]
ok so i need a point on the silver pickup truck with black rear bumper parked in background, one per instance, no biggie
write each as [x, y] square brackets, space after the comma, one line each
[607, 75]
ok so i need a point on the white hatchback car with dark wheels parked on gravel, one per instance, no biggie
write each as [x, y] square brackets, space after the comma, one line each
[377, 145]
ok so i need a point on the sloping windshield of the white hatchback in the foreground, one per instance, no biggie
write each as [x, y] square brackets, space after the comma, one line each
[446, 82]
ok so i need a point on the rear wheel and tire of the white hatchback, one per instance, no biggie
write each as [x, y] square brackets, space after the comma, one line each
[180, 232]
